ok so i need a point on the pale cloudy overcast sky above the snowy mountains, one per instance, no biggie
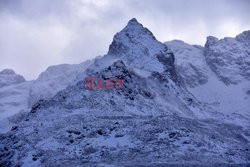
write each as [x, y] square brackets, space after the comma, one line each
[37, 33]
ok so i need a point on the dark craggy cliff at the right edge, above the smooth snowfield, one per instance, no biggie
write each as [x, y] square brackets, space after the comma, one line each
[229, 58]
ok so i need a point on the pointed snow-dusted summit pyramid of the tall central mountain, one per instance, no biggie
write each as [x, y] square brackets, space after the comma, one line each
[137, 46]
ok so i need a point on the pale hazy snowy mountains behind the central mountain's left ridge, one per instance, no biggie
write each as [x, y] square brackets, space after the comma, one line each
[18, 95]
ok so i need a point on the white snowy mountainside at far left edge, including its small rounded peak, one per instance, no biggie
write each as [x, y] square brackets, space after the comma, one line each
[13, 97]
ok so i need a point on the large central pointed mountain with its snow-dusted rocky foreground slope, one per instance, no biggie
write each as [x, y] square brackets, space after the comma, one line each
[153, 120]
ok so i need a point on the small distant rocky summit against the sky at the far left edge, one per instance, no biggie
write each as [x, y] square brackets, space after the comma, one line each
[9, 77]
